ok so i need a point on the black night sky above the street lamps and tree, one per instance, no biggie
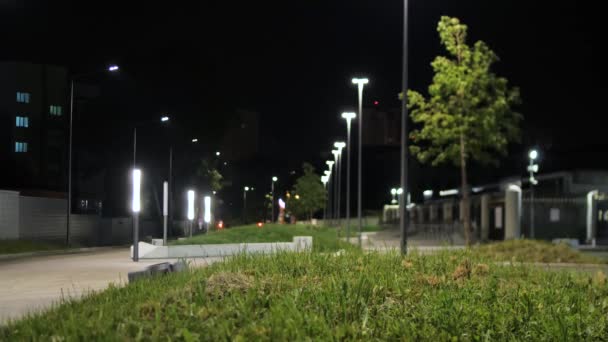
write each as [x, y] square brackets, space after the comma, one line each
[292, 62]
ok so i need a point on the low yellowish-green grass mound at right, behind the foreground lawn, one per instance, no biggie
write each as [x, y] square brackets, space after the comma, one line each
[534, 251]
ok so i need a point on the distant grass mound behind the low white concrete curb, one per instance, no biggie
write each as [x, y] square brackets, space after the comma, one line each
[324, 238]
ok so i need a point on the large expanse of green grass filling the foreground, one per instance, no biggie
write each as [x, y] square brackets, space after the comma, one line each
[458, 296]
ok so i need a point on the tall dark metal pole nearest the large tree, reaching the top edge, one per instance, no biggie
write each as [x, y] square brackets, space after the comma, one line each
[404, 138]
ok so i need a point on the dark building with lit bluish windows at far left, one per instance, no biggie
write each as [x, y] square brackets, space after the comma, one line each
[33, 126]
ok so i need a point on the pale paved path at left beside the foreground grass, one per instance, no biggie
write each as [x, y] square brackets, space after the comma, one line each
[36, 283]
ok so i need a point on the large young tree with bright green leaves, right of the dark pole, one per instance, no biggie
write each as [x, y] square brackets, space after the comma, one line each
[468, 114]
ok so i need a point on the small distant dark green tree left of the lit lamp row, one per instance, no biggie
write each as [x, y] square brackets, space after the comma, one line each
[308, 195]
